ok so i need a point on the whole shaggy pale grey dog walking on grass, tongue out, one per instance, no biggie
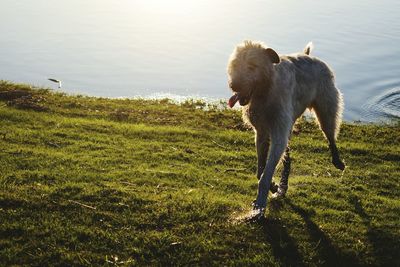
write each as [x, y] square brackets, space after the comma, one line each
[274, 91]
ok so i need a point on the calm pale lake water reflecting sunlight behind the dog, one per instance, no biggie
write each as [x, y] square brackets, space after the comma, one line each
[179, 48]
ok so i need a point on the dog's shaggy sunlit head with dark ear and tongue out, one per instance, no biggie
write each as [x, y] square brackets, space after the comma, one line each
[250, 68]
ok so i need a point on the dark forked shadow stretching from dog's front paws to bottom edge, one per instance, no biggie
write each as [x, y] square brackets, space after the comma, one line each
[285, 247]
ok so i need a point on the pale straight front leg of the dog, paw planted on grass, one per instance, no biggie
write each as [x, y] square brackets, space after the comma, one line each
[278, 146]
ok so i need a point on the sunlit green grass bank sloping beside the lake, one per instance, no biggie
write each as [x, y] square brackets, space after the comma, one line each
[95, 181]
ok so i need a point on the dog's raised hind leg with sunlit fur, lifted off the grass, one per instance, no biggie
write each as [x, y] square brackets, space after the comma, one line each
[329, 111]
